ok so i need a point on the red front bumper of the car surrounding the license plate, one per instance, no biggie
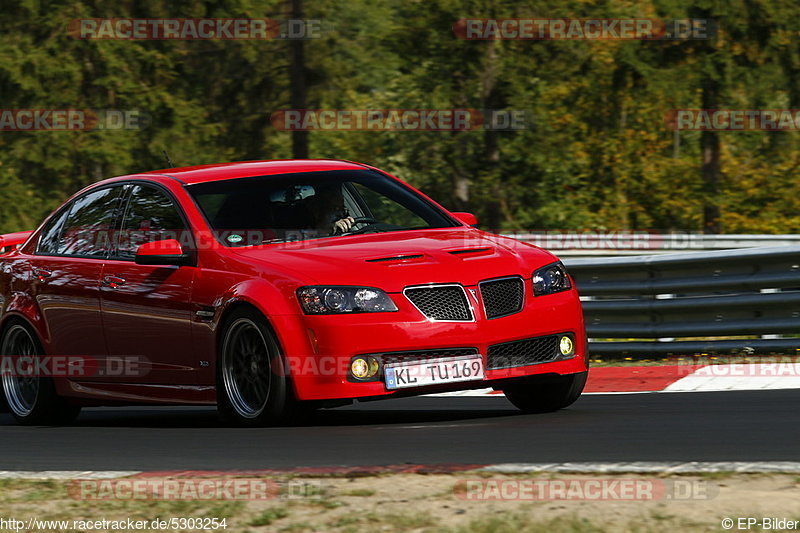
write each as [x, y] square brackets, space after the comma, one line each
[318, 349]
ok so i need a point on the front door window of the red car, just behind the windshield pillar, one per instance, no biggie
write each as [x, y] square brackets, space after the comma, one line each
[151, 215]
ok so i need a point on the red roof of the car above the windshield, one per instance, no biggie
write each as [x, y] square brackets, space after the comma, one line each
[246, 169]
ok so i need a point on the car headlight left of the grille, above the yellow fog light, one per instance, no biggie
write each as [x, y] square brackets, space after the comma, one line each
[334, 299]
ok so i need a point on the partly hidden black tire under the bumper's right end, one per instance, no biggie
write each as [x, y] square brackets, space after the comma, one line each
[546, 395]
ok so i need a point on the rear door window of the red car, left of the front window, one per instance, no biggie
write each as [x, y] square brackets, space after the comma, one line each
[88, 226]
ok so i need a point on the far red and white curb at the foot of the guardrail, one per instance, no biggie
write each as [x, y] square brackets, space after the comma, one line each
[681, 378]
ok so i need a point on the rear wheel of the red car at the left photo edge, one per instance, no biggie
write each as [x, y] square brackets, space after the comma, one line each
[31, 400]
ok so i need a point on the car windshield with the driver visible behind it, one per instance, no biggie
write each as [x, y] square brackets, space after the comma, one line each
[312, 205]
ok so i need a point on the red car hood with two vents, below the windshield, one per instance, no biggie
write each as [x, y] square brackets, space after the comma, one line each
[392, 261]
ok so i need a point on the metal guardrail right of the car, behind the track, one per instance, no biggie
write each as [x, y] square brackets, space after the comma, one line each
[747, 300]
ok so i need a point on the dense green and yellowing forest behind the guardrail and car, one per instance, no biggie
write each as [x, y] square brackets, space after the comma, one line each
[597, 151]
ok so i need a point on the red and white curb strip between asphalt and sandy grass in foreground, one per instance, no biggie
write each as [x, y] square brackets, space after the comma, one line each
[638, 467]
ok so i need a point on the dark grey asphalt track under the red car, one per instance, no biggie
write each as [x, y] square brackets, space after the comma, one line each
[707, 426]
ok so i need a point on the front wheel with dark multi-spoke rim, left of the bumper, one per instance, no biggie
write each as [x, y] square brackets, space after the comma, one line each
[252, 388]
